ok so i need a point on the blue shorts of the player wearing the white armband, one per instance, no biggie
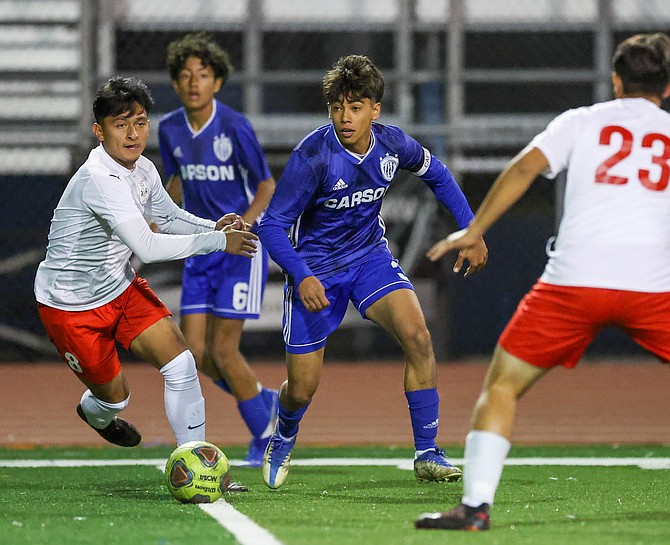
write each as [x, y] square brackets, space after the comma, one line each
[363, 285]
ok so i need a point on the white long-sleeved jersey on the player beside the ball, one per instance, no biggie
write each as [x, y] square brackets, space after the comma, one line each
[87, 264]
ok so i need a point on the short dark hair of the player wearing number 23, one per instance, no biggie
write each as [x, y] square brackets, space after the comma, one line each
[643, 63]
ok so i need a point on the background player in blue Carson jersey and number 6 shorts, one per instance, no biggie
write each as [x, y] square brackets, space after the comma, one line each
[214, 162]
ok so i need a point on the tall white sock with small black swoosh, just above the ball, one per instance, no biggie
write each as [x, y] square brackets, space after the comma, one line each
[184, 404]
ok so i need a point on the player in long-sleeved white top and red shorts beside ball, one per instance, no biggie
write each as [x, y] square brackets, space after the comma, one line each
[89, 297]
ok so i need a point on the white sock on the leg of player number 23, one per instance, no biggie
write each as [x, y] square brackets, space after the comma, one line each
[485, 454]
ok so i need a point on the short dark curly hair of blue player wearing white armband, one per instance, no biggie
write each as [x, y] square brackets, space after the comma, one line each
[353, 77]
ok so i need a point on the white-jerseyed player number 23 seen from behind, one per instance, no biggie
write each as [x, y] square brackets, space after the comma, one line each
[609, 265]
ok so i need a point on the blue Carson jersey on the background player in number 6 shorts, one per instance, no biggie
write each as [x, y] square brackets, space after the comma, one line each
[220, 165]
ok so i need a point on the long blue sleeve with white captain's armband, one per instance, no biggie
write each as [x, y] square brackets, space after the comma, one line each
[431, 170]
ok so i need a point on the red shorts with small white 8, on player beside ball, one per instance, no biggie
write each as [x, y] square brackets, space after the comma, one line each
[86, 339]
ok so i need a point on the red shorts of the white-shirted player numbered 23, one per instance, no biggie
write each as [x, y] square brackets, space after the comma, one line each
[553, 325]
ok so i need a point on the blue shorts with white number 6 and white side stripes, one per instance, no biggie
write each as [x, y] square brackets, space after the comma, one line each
[224, 285]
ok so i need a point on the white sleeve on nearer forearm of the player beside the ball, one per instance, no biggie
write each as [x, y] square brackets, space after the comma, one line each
[152, 247]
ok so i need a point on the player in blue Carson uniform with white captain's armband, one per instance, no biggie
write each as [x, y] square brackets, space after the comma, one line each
[329, 199]
